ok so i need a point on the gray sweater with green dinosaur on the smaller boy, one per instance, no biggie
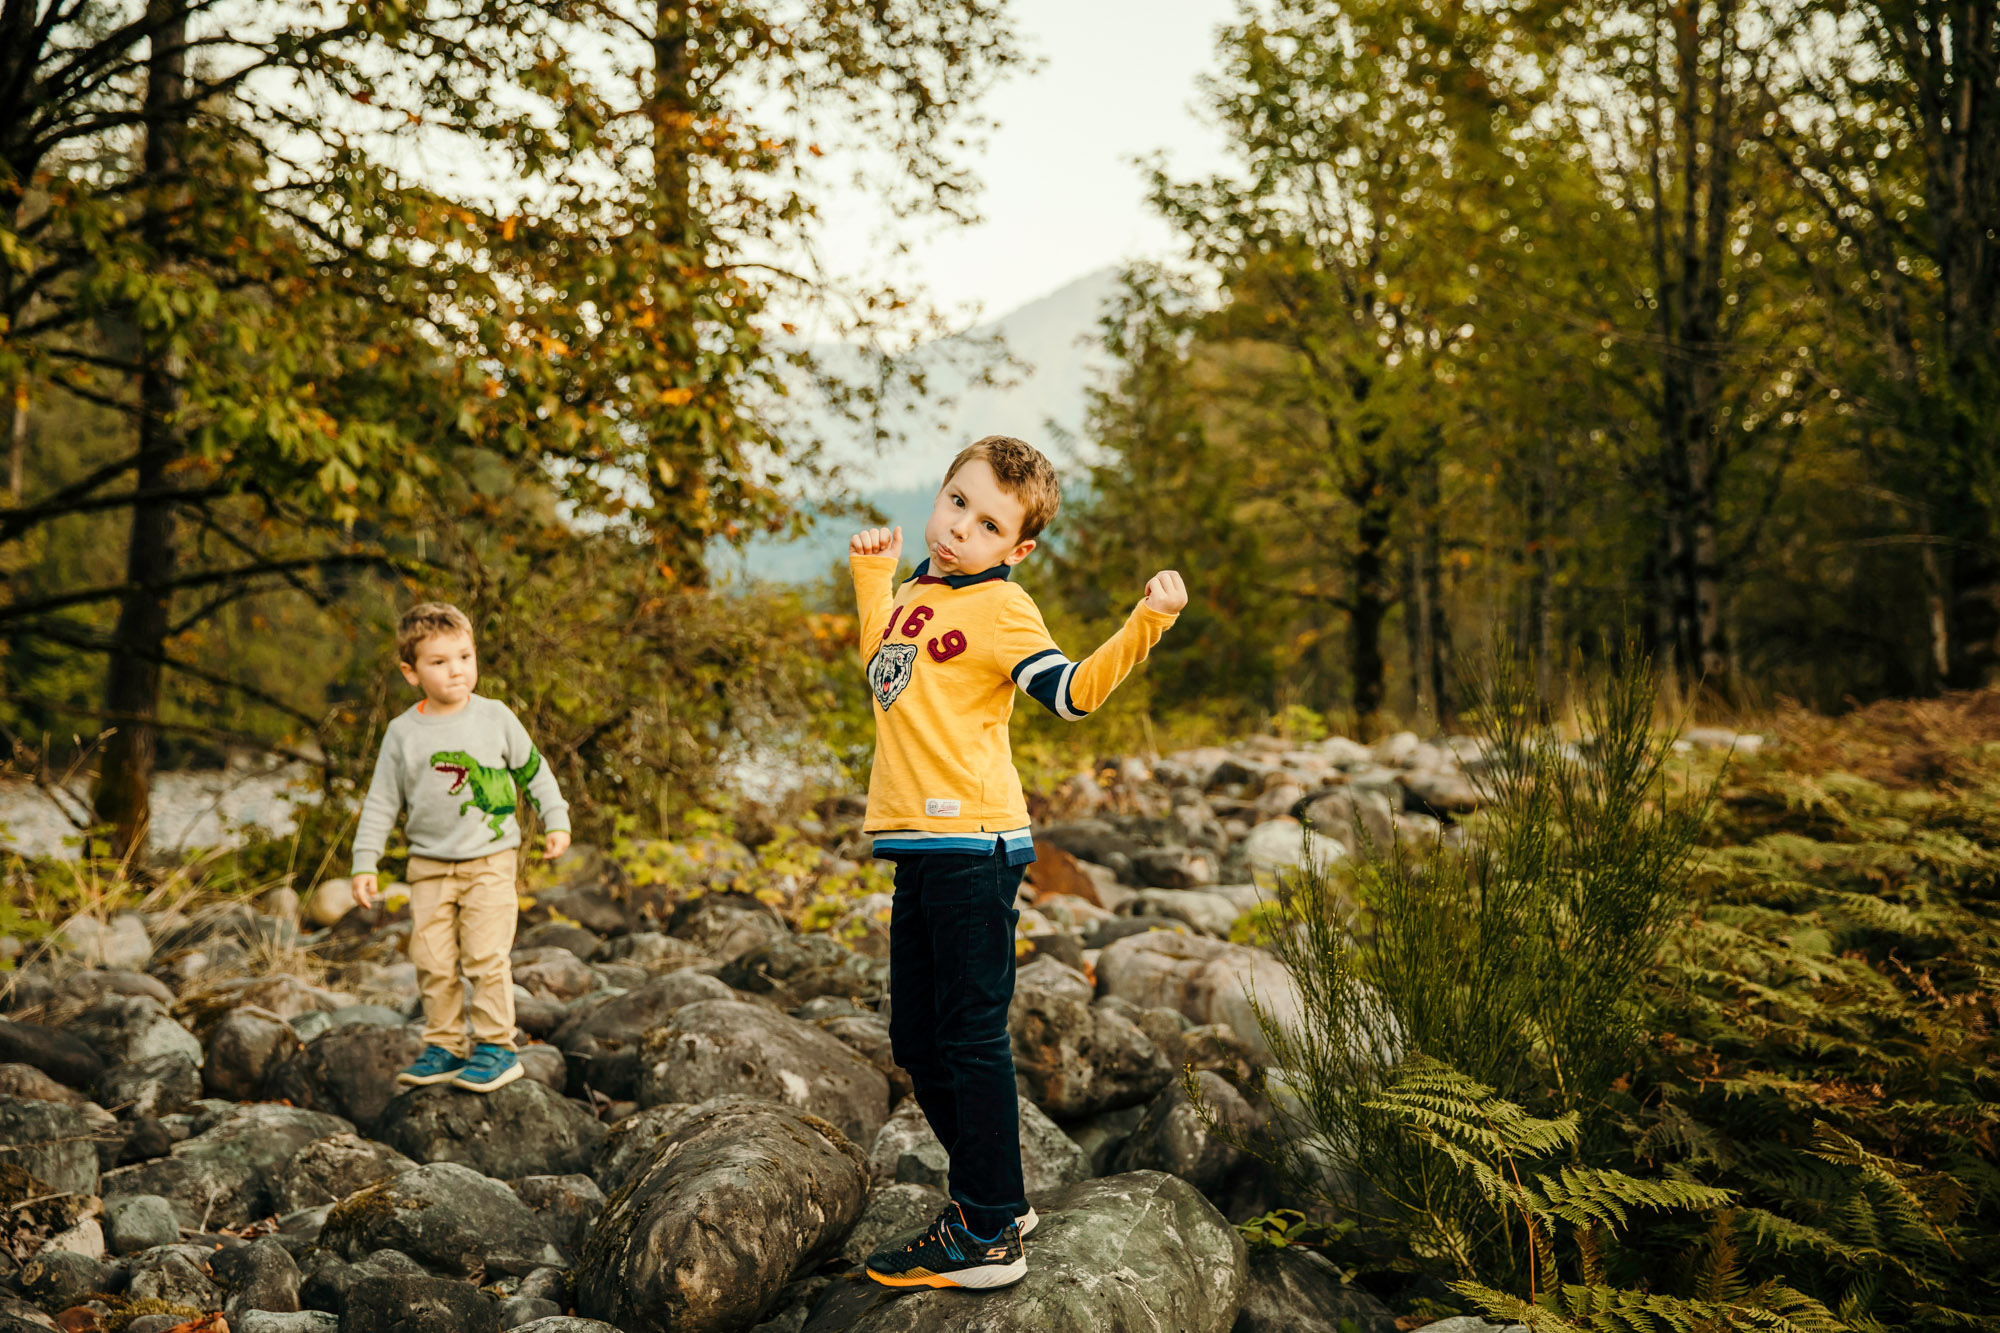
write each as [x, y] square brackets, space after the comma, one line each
[457, 776]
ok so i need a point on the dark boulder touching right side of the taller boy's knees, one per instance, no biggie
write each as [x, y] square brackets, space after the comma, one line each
[1073, 1058]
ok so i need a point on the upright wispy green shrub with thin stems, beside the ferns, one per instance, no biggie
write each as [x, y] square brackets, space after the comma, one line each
[1515, 956]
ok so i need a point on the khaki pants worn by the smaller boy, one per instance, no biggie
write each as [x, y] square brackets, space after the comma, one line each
[463, 920]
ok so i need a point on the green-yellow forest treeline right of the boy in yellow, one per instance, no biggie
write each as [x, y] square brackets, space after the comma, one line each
[1571, 319]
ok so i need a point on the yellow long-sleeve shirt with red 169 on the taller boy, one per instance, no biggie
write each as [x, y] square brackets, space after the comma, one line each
[945, 657]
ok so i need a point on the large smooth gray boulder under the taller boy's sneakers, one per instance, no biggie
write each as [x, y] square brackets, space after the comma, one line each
[1129, 1252]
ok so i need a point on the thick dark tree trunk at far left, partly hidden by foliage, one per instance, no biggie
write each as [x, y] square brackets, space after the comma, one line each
[133, 680]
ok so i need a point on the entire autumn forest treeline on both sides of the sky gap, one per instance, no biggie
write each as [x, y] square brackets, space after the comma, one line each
[1547, 319]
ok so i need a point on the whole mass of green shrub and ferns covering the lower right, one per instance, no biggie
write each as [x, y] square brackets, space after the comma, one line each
[1775, 978]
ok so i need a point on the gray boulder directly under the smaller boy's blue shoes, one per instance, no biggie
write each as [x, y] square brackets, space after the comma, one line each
[519, 1130]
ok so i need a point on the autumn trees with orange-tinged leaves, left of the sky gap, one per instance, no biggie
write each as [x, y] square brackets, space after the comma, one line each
[311, 311]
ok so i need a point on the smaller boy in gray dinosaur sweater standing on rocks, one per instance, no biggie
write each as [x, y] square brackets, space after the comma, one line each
[455, 764]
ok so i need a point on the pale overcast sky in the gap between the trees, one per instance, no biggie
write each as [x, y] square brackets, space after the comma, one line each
[1063, 197]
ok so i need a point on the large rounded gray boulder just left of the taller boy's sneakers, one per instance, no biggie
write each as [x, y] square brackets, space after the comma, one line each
[743, 1196]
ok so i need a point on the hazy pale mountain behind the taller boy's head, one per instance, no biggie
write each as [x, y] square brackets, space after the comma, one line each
[1061, 357]
